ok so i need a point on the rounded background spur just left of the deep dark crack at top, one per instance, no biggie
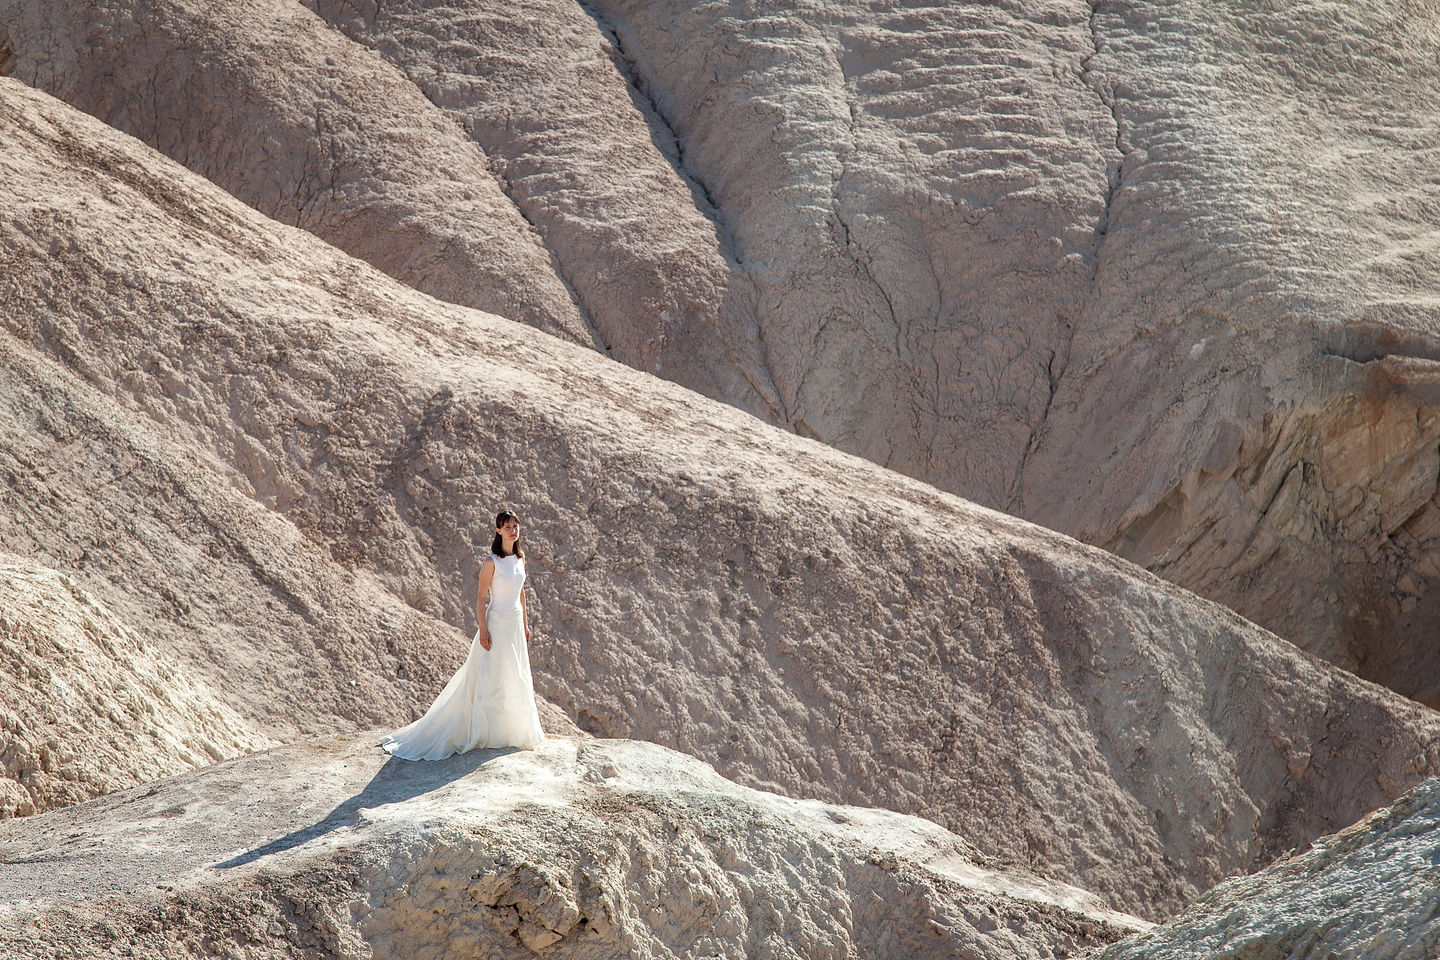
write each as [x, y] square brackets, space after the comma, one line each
[588, 158]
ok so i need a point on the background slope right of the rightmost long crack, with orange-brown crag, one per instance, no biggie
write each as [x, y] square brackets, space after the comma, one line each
[1256, 382]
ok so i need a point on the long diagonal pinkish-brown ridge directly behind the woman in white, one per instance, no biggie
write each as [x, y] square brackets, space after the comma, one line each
[328, 443]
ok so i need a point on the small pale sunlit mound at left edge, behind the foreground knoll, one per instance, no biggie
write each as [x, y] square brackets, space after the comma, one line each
[87, 706]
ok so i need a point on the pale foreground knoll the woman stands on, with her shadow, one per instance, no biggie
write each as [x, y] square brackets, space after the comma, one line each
[580, 848]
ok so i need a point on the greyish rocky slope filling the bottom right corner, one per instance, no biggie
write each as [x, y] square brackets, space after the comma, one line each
[1369, 892]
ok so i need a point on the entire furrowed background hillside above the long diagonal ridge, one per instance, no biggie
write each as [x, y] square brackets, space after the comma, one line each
[1158, 274]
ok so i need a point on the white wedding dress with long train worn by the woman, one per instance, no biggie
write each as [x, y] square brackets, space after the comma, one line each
[490, 702]
